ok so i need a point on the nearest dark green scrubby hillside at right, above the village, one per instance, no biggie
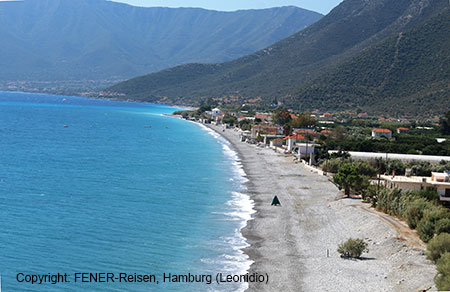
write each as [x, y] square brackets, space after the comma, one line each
[406, 74]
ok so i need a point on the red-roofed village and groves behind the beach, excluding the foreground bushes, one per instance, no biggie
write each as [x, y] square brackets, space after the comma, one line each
[308, 142]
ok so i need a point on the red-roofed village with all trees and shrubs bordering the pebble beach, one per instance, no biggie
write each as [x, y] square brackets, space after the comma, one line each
[395, 166]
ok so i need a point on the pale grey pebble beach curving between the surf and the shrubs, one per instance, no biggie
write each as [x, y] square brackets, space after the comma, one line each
[290, 242]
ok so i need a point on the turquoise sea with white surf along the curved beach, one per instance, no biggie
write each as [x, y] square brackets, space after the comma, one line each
[93, 186]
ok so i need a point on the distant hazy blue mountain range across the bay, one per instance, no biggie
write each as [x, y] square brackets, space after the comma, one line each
[97, 39]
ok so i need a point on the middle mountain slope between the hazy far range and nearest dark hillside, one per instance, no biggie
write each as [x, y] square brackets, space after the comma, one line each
[282, 70]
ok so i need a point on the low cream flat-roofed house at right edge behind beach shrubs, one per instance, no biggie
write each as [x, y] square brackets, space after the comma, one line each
[438, 181]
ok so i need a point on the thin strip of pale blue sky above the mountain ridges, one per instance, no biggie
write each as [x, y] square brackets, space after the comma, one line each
[322, 6]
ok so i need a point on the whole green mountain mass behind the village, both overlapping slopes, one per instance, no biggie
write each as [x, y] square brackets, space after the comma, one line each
[376, 56]
